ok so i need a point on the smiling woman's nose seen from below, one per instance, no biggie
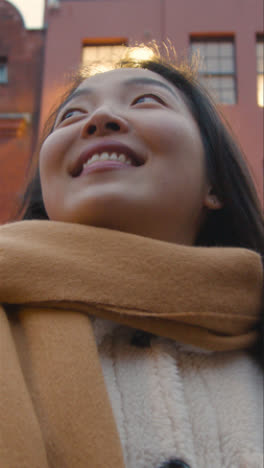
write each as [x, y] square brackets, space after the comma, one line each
[104, 122]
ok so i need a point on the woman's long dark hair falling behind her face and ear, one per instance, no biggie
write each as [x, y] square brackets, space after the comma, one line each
[239, 223]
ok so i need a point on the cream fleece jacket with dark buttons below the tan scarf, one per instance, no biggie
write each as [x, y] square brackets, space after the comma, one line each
[173, 402]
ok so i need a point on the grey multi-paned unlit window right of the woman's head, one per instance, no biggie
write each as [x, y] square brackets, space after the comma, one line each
[217, 66]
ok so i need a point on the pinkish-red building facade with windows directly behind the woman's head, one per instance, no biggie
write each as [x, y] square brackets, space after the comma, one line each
[229, 35]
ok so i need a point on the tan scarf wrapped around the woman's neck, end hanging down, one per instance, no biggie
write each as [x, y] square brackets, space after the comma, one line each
[54, 408]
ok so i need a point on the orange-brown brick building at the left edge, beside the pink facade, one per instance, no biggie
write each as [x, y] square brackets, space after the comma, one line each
[21, 58]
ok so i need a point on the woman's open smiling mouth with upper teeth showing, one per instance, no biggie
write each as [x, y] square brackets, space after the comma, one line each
[108, 156]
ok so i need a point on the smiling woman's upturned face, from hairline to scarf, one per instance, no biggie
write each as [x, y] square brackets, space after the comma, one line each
[157, 188]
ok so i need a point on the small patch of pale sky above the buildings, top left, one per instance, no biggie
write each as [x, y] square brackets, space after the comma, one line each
[32, 12]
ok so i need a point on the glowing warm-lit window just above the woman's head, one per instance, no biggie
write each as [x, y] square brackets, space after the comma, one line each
[101, 54]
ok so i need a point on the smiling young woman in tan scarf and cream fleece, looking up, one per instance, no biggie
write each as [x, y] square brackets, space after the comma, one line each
[132, 315]
